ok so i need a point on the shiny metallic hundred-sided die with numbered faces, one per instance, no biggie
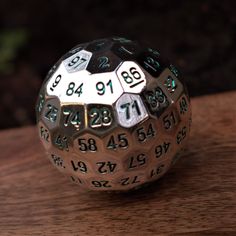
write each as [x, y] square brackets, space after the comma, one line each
[113, 114]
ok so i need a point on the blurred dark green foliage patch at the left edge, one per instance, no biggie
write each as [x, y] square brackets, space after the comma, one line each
[10, 42]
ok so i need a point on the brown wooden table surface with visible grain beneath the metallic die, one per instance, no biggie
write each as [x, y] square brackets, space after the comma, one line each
[197, 197]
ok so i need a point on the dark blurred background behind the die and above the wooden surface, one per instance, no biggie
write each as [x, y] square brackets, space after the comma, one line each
[197, 36]
